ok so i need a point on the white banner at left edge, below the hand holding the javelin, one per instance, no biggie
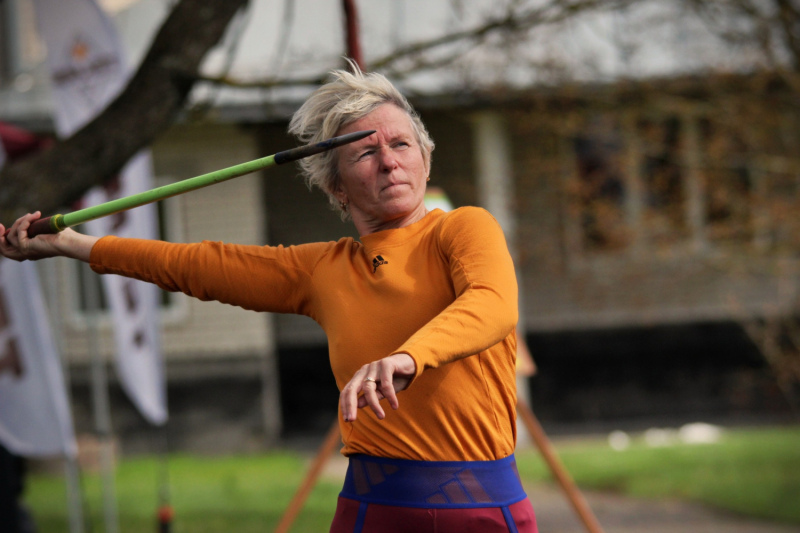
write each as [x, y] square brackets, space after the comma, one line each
[35, 419]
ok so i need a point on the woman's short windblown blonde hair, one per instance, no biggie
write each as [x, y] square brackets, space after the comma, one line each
[348, 97]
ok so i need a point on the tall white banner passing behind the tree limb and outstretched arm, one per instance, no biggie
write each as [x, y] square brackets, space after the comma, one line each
[88, 70]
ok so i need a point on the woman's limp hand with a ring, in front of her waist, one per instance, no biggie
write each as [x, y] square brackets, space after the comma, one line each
[381, 379]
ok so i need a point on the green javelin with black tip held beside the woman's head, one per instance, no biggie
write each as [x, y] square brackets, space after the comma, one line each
[57, 223]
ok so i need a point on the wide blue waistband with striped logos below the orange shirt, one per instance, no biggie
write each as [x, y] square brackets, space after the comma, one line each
[433, 484]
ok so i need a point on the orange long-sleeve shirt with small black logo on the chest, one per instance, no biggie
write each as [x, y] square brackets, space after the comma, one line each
[442, 290]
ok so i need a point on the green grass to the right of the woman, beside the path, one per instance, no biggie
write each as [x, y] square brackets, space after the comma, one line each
[755, 473]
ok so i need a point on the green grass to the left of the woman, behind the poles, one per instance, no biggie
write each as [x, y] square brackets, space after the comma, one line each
[208, 494]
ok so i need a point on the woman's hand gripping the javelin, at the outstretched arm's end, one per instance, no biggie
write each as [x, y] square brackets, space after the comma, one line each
[15, 244]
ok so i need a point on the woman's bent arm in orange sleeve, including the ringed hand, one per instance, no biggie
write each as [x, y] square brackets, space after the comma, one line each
[483, 314]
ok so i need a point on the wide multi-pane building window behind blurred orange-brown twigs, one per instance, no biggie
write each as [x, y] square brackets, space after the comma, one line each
[666, 182]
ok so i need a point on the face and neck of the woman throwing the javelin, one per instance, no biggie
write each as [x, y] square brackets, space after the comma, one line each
[382, 177]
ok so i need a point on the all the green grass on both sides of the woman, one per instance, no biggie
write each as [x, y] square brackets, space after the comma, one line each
[756, 473]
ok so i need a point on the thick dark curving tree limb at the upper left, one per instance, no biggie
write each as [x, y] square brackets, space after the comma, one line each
[146, 107]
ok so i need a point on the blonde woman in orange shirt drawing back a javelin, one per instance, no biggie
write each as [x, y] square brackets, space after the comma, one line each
[423, 303]
